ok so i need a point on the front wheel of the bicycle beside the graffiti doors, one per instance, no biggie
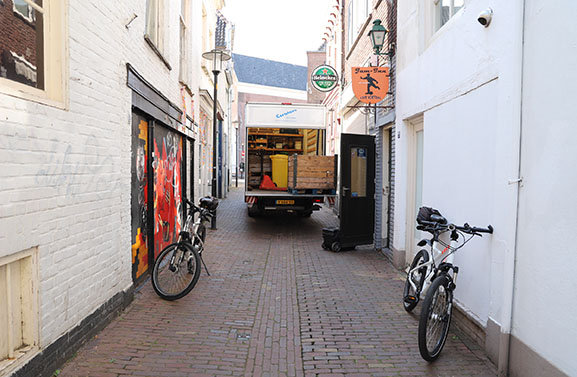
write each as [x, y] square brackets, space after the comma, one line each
[176, 271]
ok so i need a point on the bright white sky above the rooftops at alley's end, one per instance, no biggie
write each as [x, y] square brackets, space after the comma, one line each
[278, 30]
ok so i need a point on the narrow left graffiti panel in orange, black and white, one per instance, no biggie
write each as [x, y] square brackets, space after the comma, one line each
[139, 200]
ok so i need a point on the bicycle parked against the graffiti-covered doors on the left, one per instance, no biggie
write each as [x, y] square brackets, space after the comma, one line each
[177, 268]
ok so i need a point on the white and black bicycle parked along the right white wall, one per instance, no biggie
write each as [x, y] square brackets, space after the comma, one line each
[432, 273]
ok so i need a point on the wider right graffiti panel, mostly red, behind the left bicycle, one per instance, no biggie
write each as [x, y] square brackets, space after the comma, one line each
[167, 166]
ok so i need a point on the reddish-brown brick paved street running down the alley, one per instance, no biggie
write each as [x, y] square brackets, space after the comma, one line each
[276, 304]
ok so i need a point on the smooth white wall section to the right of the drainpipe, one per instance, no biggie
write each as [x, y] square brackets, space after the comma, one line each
[543, 316]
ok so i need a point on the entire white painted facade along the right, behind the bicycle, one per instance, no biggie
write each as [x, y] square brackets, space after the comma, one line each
[473, 89]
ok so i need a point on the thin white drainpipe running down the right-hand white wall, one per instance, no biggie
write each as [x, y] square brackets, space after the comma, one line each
[510, 262]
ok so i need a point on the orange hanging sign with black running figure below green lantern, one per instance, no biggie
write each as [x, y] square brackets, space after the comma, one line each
[370, 84]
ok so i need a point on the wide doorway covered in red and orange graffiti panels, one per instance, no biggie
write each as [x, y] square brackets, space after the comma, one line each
[157, 190]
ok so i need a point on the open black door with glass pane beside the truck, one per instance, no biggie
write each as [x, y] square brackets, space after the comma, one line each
[357, 202]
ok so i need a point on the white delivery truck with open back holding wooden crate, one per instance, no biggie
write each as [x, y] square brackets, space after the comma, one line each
[286, 167]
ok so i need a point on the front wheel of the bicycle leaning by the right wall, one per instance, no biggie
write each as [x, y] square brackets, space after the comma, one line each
[435, 318]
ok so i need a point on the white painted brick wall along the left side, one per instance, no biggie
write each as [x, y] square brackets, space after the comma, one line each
[65, 178]
